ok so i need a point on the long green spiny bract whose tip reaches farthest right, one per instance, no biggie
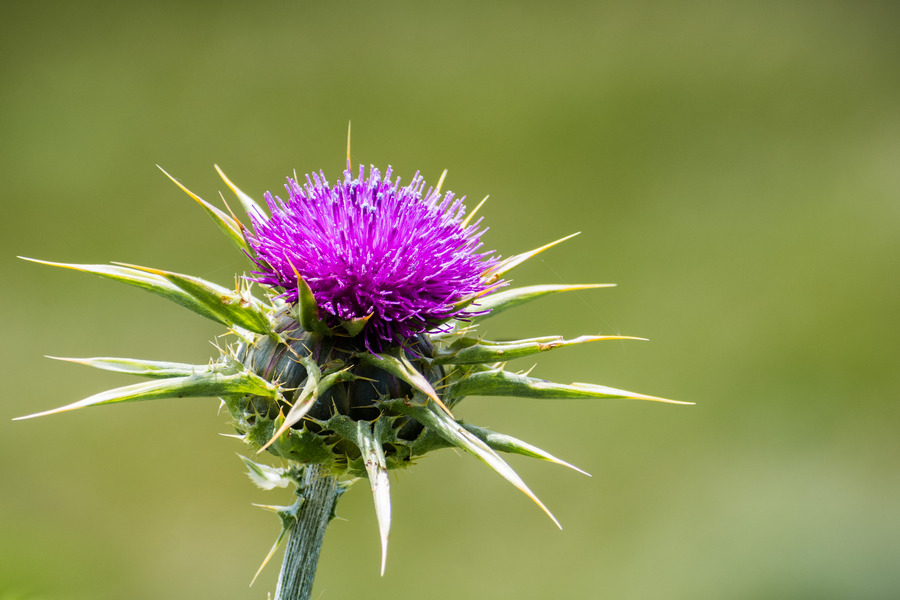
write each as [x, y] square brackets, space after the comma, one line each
[497, 382]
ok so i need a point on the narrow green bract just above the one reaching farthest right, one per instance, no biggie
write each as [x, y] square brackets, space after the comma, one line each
[468, 350]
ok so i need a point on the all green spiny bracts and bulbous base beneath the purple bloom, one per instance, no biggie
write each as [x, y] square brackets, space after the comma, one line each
[304, 386]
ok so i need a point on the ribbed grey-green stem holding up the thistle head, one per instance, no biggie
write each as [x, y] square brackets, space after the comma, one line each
[319, 492]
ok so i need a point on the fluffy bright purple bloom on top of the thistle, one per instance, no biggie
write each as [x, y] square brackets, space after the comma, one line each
[369, 248]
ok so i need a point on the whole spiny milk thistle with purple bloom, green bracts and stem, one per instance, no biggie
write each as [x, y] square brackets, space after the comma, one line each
[350, 343]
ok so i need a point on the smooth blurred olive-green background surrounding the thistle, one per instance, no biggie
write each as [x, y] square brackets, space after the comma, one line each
[734, 167]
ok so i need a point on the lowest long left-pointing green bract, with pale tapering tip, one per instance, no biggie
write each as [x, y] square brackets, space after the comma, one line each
[210, 384]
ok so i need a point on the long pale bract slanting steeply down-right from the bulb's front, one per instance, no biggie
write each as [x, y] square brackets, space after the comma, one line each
[456, 434]
